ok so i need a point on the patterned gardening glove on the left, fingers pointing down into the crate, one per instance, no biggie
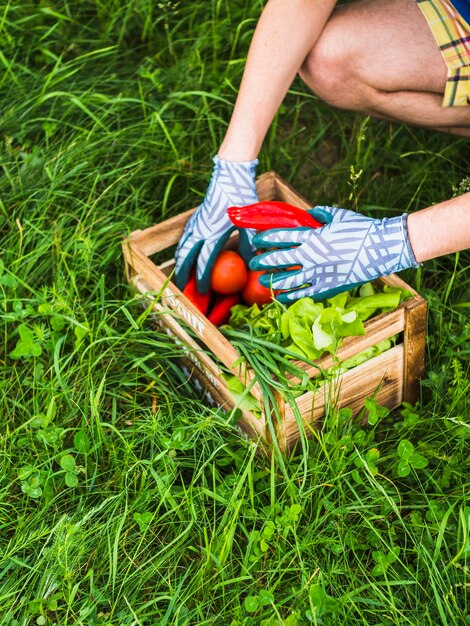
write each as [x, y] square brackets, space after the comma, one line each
[233, 183]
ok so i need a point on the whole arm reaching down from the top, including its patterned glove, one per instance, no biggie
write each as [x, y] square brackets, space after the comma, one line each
[286, 32]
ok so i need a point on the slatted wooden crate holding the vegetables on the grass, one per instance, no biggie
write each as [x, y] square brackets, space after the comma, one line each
[392, 377]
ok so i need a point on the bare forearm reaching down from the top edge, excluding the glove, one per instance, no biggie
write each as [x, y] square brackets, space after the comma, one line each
[286, 32]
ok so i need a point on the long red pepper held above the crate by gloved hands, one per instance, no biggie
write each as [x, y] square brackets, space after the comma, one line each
[271, 214]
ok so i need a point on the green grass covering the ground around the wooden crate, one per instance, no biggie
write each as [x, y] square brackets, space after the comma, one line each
[123, 500]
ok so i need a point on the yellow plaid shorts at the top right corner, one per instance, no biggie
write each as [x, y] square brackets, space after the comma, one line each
[452, 34]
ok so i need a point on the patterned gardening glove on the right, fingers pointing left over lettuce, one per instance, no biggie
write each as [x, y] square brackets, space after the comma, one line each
[348, 250]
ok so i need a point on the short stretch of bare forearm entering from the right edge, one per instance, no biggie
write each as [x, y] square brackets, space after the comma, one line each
[440, 229]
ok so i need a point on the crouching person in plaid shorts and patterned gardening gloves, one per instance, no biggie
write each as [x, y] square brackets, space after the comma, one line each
[398, 60]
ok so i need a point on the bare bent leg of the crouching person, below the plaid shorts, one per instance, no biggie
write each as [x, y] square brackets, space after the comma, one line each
[380, 57]
